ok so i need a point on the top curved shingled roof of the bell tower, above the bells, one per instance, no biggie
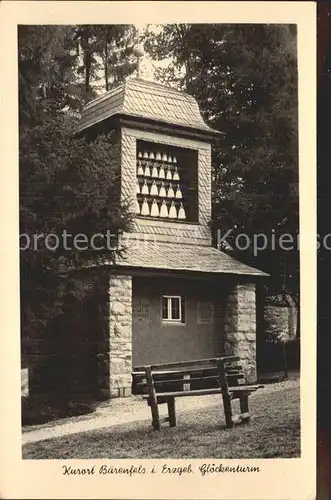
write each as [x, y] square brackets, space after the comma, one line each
[138, 98]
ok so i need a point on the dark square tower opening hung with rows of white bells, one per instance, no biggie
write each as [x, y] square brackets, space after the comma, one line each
[167, 182]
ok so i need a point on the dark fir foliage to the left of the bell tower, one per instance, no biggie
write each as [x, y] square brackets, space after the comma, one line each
[66, 183]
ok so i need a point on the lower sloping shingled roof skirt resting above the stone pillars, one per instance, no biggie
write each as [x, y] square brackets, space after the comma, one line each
[174, 257]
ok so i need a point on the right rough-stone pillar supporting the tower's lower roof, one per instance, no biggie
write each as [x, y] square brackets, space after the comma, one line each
[240, 327]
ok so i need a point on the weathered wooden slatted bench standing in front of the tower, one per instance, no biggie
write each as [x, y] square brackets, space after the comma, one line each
[163, 383]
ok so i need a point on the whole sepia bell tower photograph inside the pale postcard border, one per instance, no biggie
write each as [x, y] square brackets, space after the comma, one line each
[159, 218]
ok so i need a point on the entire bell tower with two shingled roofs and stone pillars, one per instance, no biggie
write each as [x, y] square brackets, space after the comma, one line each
[172, 296]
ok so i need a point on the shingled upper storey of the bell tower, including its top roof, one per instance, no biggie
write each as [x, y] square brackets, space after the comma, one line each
[165, 157]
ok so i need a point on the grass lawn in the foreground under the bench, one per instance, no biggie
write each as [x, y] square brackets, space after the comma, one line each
[274, 432]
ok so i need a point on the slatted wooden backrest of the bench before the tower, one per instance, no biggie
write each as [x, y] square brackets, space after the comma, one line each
[189, 375]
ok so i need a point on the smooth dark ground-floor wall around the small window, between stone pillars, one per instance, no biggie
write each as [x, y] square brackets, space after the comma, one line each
[155, 341]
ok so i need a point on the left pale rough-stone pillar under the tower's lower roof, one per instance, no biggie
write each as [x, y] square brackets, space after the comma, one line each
[120, 335]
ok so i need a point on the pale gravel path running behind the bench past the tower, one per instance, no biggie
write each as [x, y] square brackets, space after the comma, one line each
[126, 410]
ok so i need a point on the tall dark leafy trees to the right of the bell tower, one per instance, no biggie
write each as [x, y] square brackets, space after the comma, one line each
[244, 78]
